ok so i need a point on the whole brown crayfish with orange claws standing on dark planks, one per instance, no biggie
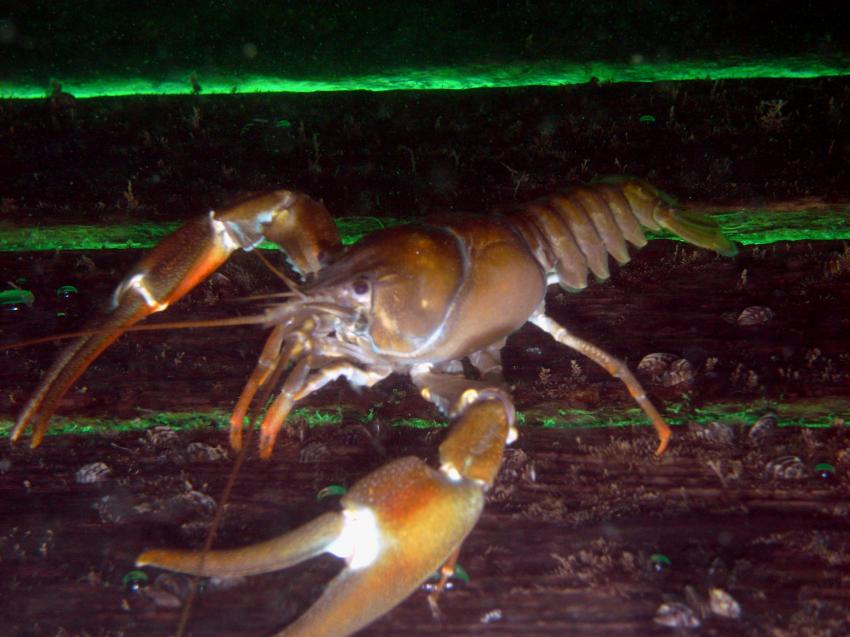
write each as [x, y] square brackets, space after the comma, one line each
[417, 300]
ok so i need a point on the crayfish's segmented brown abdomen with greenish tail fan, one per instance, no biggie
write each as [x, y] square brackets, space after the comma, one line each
[572, 232]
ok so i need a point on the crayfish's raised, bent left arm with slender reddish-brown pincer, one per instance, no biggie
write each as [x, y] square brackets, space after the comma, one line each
[173, 268]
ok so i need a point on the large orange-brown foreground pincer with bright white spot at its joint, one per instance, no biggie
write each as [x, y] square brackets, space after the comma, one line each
[397, 526]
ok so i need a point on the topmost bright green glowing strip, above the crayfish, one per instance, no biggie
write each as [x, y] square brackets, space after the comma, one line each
[552, 73]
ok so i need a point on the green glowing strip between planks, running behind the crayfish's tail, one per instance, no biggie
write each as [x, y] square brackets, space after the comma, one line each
[749, 227]
